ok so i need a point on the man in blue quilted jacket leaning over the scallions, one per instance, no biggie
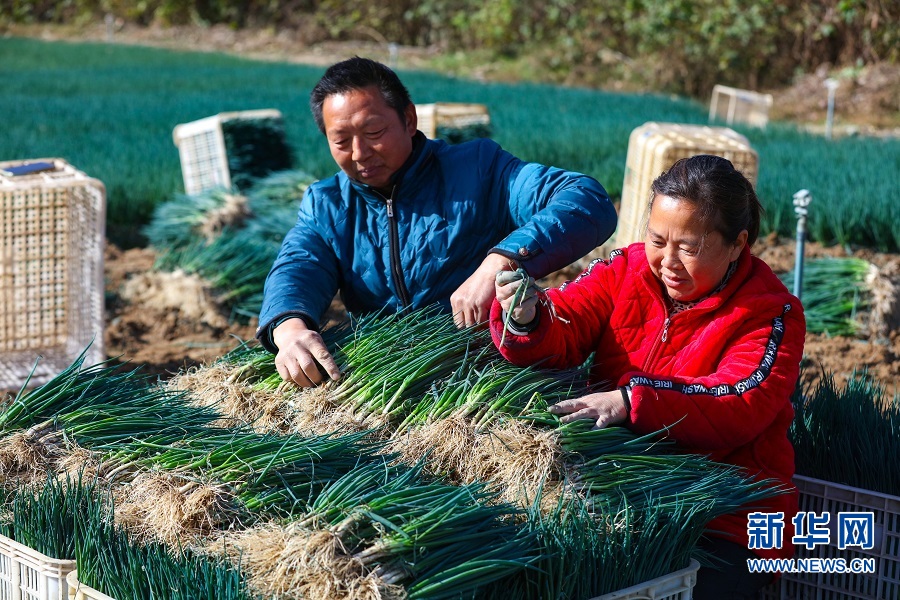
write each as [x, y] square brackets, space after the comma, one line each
[410, 222]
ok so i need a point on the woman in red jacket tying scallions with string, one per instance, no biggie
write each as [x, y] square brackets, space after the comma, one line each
[691, 332]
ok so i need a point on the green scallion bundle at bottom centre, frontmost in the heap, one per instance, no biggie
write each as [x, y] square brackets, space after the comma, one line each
[439, 540]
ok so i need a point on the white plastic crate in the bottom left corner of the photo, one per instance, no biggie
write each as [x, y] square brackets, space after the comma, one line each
[26, 574]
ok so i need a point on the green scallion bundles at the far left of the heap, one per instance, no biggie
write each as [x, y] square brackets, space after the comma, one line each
[131, 425]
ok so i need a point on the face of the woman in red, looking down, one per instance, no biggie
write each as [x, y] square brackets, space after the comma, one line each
[689, 261]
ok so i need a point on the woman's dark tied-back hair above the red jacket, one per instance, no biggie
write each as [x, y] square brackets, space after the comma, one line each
[725, 199]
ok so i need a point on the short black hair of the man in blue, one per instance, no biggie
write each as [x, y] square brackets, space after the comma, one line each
[354, 74]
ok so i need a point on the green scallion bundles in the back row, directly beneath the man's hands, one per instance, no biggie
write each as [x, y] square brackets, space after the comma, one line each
[408, 370]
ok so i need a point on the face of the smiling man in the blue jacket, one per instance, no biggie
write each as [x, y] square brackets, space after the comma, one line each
[367, 138]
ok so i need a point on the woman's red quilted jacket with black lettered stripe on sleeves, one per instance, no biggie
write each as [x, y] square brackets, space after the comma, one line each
[723, 371]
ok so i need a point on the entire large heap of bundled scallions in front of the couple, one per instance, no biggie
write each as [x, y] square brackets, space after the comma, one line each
[498, 498]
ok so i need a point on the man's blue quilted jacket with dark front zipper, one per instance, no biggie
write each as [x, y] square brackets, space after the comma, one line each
[450, 206]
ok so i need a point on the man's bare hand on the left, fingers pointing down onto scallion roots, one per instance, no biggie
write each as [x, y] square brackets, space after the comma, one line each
[300, 353]
